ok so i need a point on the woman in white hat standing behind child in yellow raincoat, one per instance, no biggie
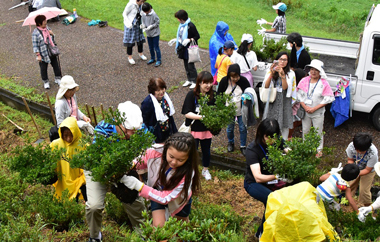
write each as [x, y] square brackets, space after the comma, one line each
[66, 102]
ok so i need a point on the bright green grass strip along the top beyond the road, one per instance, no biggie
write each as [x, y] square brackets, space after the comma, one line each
[339, 19]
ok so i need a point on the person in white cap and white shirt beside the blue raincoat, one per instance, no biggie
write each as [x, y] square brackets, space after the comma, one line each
[246, 58]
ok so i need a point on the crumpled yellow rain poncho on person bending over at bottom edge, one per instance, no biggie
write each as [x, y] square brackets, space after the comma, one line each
[297, 213]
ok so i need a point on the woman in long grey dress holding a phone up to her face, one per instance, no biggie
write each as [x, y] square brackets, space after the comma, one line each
[283, 78]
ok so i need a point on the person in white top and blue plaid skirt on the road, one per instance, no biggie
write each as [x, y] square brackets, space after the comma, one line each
[132, 32]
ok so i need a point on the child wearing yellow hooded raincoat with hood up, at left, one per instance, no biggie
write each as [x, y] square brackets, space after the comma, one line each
[69, 178]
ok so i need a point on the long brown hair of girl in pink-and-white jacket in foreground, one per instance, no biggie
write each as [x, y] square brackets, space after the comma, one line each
[183, 142]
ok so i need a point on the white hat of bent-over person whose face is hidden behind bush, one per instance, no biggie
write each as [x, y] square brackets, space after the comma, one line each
[132, 115]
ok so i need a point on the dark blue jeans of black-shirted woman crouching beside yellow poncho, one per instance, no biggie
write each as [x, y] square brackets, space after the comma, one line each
[260, 192]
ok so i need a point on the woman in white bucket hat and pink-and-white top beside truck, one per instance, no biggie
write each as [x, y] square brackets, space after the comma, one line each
[314, 93]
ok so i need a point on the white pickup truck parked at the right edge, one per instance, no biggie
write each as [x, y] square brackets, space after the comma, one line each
[365, 75]
